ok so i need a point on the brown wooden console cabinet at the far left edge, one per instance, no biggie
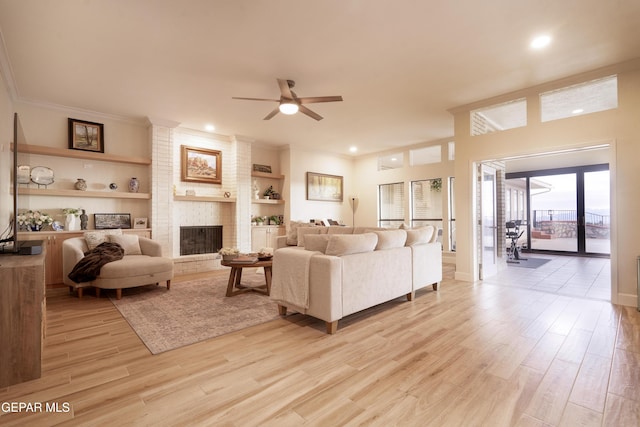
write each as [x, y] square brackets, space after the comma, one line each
[22, 317]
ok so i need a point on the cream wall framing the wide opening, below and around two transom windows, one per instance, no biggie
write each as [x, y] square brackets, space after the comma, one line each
[619, 127]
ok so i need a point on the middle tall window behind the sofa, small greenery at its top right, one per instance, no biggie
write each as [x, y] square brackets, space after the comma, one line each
[426, 202]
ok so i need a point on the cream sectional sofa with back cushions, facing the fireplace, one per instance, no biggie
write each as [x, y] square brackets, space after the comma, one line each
[331, 274]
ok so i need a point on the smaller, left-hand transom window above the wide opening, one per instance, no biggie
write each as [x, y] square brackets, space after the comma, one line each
[512, 114]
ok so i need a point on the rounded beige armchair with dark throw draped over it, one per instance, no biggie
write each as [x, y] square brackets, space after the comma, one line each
[147, 267]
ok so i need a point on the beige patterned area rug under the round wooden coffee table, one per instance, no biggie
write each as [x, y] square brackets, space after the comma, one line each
[192, 311]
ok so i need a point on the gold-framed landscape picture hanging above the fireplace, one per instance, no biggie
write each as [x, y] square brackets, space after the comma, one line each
[201, 165]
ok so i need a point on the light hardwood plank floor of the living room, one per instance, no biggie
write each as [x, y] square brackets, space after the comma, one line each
[468, 354]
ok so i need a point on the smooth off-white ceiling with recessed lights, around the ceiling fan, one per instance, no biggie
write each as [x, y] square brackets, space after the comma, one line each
[399, 65]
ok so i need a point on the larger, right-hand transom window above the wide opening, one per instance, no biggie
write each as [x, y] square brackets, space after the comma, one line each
[584, 98]
